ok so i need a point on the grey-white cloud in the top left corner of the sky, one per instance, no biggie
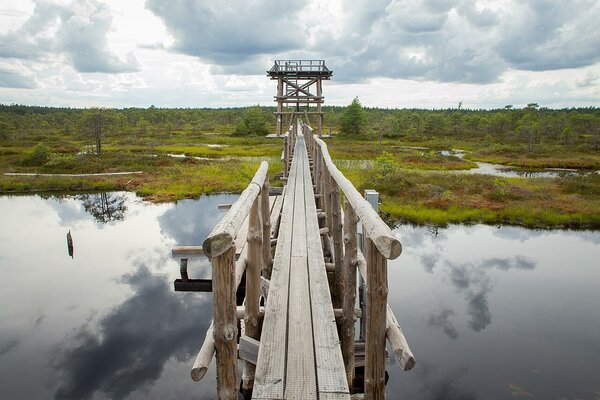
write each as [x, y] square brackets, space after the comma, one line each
[79, 32]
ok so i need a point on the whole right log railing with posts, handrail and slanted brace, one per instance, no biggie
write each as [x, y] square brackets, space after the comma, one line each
[380, 245]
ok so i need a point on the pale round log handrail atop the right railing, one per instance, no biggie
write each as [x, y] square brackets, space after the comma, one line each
[381, 235]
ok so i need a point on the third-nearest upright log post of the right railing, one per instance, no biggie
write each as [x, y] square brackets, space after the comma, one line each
[338, 249]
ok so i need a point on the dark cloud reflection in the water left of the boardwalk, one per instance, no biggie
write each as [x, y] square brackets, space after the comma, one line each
[133, 341]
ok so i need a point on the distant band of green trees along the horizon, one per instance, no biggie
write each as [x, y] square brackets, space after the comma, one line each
[530, 125]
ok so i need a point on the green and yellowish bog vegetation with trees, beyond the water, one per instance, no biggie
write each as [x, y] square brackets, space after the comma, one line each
[395, 151]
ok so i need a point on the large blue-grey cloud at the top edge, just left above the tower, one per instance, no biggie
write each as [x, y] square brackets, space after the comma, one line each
[231, 32]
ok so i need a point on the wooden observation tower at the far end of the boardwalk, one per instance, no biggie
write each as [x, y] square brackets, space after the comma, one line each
[295, 80]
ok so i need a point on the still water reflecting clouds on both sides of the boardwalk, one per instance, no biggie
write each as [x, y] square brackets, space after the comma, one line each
[490, 313]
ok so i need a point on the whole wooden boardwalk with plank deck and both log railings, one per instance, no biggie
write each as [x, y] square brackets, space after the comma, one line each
[284, 285]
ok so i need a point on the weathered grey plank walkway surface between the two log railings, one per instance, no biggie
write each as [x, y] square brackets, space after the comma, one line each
[300, 355]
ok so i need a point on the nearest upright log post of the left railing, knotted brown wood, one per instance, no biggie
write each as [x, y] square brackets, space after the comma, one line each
[225, 323]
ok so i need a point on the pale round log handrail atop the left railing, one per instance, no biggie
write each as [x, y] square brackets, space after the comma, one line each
[222, 236]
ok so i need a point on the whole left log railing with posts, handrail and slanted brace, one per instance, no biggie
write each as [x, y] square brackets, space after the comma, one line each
[227, 274]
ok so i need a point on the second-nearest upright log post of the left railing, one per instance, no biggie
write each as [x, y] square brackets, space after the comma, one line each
[253, 269]
